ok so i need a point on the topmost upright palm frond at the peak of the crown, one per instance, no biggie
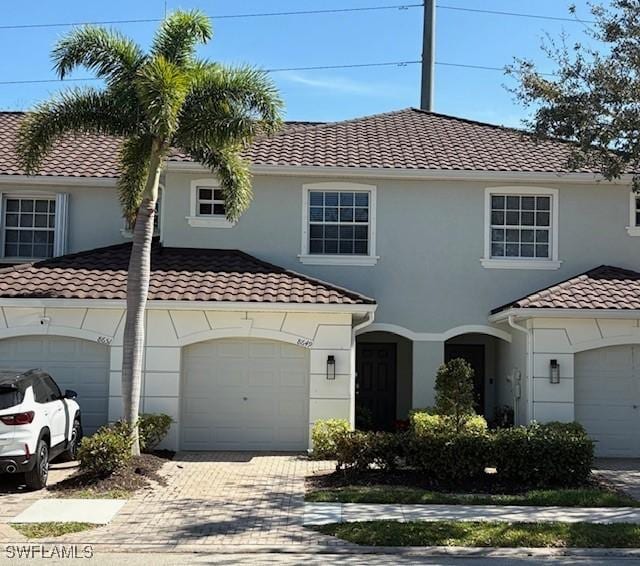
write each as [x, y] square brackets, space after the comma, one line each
[179, 34]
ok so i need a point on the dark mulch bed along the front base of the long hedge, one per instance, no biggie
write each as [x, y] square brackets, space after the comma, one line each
[488, 484]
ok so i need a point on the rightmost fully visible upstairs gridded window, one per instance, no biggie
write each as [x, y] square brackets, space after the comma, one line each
[521, 226]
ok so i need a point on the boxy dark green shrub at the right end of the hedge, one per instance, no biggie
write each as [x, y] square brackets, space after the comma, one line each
[555, 454]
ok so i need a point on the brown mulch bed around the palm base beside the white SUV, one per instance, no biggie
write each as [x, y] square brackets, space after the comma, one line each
[138, 474]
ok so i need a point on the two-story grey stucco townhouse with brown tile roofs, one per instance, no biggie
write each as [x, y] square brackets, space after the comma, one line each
[374, 250]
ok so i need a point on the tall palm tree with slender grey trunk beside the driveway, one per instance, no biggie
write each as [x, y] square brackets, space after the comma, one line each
[154, 101]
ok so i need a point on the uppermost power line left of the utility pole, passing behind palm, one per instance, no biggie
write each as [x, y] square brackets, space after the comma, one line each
[221, 16]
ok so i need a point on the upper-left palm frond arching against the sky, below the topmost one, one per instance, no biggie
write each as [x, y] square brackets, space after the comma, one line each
[106, 52]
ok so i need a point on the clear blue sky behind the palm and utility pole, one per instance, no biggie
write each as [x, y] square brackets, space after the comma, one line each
[314, 40]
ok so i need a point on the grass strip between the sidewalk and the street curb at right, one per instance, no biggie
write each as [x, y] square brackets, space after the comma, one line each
[458, 533]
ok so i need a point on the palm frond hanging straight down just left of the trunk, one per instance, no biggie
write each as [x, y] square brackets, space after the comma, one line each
[135, 154]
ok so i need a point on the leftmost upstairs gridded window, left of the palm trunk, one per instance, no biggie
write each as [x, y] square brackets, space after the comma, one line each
[29, 227]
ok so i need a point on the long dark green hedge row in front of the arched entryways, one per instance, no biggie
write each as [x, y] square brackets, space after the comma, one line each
[556, 454]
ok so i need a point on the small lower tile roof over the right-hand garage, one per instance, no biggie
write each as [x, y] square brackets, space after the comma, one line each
[604, 287]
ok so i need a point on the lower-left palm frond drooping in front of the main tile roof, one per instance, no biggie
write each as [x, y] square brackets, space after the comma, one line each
[75, 111]
